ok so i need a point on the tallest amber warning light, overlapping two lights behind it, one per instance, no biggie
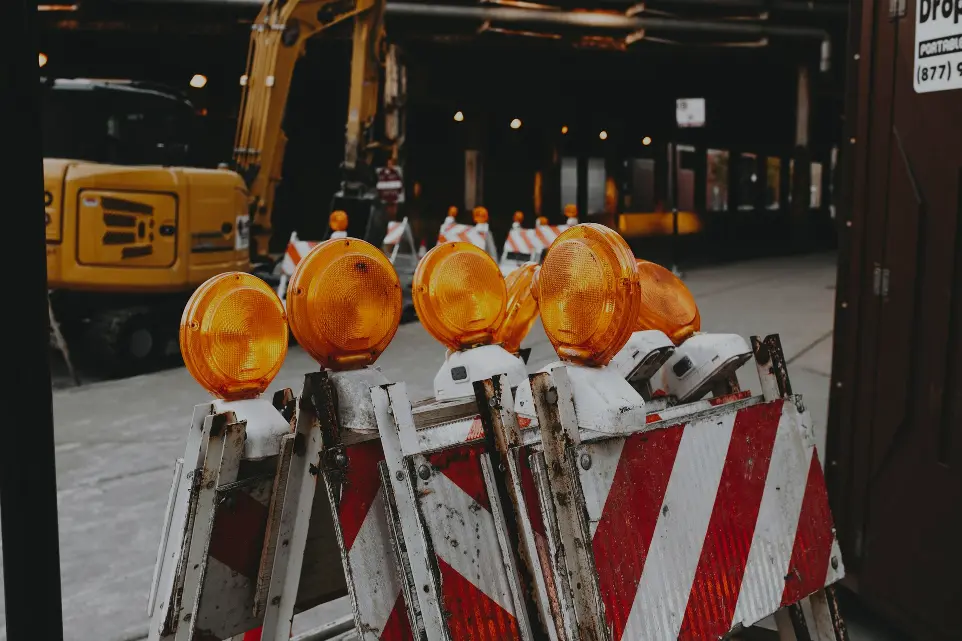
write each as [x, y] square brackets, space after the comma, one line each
[589, 294]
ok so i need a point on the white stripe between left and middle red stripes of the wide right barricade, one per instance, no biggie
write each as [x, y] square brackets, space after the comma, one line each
[659, 607]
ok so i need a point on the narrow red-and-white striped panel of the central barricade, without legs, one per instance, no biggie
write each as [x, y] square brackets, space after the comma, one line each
[454, 502]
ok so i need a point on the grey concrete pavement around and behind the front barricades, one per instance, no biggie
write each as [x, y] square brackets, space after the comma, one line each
[116, 441]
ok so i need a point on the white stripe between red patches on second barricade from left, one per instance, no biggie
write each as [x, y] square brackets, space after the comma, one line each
[377, 585]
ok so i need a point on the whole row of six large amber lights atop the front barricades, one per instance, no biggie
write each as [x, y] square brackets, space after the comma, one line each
[344, 307]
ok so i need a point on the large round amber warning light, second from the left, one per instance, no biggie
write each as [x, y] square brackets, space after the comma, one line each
[344, 302]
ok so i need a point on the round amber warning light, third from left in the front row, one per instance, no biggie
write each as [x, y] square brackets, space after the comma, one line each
[459, 295]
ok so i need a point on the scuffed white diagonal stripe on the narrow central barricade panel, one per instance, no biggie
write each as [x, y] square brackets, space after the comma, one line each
[465, 538]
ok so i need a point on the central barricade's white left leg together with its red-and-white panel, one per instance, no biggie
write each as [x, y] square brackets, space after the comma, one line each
[453, 529]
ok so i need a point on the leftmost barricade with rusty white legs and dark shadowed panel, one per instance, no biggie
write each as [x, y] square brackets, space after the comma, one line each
[232, 555]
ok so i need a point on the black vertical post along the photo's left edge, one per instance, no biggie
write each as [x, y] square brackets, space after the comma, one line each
[28, 473]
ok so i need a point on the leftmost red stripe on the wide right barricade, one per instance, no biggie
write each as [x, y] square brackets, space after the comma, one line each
[623, 537]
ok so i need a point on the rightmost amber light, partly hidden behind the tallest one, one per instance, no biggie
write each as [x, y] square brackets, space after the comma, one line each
[666, 303]
